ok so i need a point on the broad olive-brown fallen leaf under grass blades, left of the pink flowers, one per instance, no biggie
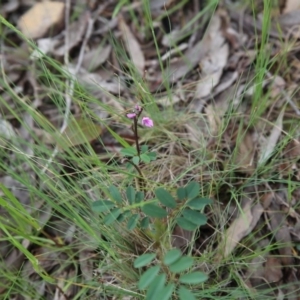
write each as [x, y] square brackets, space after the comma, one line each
[79, 131]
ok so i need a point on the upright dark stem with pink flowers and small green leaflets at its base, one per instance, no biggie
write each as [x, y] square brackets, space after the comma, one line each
[138, 153]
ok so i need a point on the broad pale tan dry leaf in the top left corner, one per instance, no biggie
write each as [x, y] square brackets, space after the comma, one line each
[43, 16]
